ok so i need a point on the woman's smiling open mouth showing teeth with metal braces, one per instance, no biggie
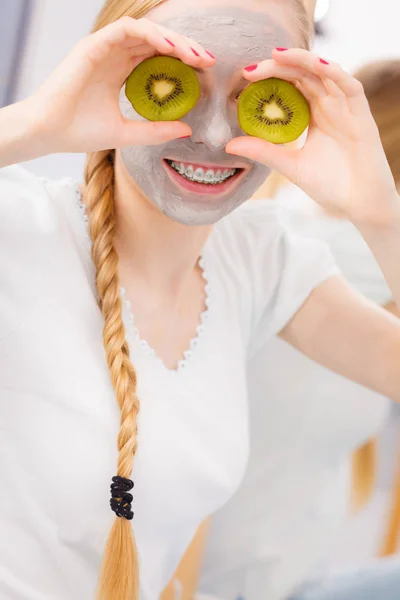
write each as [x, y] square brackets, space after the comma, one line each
[203, 179]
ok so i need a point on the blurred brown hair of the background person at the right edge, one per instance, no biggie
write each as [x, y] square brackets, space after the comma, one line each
[381, 81]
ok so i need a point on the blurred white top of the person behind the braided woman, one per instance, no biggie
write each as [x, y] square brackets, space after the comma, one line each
[304, 423]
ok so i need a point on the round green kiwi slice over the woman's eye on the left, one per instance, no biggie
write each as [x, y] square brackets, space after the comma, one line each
[163, 88]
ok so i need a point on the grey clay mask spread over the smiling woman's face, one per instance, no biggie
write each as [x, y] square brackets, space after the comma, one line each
[237, 39]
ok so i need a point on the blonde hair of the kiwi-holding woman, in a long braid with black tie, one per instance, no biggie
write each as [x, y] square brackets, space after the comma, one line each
[119, 578]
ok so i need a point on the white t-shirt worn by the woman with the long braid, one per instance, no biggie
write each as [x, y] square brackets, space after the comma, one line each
[59, 419]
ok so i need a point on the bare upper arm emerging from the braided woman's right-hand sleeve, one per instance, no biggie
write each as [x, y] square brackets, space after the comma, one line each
[340, 329]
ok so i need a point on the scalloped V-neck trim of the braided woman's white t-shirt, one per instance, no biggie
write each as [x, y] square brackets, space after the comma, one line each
[127, 306]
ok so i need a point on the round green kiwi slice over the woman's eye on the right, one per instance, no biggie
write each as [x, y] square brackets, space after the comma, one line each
[274, 110]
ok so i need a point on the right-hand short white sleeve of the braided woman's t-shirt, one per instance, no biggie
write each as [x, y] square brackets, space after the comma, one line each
[283, 268]
